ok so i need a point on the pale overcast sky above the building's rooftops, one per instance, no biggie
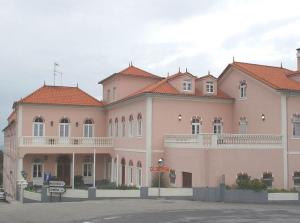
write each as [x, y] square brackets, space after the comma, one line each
[93, 39]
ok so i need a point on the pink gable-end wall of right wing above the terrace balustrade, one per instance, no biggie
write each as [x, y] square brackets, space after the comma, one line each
[260, 100]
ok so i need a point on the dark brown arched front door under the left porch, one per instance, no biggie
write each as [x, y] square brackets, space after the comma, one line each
[64, 169]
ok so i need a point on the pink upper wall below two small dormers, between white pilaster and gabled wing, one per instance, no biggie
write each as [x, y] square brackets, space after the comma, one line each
[166, 111]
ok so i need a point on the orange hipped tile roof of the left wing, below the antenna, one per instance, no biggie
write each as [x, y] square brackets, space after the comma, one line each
[60, 95]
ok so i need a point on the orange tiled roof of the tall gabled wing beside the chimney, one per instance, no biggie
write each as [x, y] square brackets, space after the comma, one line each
[275, 77]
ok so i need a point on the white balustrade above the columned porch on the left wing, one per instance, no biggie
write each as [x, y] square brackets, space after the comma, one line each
[53, 141]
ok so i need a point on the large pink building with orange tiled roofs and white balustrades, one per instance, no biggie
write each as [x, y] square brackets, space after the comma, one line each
[246, 120]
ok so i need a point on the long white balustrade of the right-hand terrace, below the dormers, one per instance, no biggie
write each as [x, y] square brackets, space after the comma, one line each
[230, 141]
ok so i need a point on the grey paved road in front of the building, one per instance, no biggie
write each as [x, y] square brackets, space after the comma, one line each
[146, 211]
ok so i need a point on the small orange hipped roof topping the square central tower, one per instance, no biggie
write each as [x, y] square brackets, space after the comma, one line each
[132, 71]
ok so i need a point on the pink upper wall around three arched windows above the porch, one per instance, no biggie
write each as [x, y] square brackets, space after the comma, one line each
[55, 113]
